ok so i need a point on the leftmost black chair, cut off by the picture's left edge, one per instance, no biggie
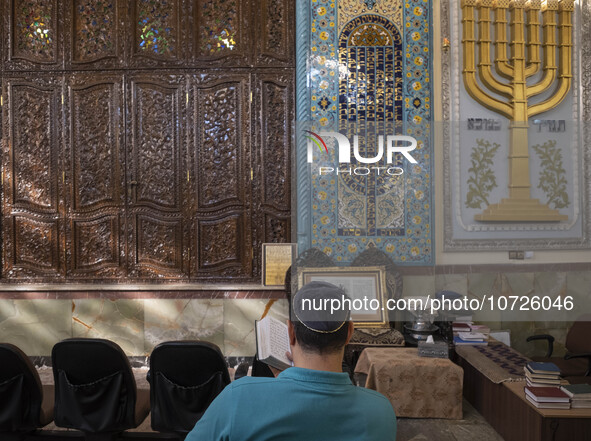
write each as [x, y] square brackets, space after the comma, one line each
[25, 404]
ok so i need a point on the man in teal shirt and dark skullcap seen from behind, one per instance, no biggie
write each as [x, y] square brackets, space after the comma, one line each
[314, 400]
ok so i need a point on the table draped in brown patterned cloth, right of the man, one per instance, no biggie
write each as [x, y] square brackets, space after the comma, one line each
[417, 387]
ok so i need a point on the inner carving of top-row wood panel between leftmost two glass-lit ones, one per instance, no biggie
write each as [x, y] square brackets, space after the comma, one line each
[94, 29]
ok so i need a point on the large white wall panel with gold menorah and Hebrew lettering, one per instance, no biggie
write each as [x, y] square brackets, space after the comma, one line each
[515, 82]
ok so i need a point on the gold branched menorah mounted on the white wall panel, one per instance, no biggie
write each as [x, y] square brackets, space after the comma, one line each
[514, 63]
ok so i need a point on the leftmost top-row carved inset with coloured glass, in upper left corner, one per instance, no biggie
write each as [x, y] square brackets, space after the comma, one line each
[34, 28]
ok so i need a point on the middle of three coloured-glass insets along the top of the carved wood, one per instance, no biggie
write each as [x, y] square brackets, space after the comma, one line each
[155, 20]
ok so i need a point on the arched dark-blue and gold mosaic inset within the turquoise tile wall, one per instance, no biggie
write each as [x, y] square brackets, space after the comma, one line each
[370, 104]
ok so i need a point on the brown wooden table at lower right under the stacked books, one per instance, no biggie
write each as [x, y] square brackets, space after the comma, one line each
[506, 409]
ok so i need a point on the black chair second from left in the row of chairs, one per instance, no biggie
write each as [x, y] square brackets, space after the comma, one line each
[95, 390]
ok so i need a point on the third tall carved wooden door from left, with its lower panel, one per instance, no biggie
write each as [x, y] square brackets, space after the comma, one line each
[157, 192]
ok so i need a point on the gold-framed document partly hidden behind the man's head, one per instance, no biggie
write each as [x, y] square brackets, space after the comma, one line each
[358, 282]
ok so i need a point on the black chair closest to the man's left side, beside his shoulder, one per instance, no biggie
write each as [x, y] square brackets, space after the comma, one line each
[185, 377]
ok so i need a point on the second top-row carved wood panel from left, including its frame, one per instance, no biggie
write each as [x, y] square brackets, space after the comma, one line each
[94, 33]
